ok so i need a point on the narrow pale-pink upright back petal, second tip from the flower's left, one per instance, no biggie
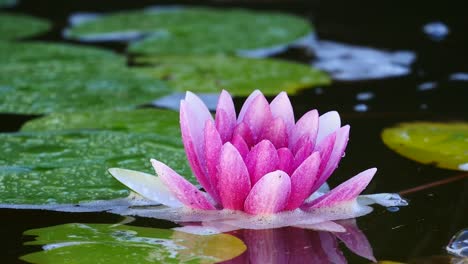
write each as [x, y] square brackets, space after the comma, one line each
[225, 116]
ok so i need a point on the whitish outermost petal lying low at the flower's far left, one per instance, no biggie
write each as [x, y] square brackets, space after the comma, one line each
[147, 185]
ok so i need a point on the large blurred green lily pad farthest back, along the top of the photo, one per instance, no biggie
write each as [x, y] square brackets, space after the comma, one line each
[195, 30]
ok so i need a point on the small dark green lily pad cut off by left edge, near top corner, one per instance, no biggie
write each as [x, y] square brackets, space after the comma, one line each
[21, 26]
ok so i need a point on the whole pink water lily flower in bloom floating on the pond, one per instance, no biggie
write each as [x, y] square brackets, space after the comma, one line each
[258, 163]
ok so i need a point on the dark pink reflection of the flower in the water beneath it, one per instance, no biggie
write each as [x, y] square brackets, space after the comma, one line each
[295, 245]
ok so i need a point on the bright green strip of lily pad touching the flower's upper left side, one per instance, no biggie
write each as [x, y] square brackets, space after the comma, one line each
[163, 122]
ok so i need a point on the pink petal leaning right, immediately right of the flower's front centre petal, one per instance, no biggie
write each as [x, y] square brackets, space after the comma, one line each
[302, 181]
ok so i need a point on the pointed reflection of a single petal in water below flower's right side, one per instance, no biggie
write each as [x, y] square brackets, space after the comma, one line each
[356, 240]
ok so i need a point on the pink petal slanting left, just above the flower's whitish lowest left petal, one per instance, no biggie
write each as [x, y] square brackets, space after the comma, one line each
[181, 188]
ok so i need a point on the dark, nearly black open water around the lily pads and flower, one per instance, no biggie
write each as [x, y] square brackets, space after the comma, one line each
[418, 231]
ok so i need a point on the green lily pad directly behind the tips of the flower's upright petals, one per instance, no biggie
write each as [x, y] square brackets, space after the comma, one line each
[240, 76]
